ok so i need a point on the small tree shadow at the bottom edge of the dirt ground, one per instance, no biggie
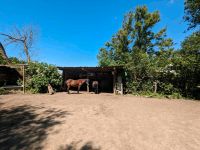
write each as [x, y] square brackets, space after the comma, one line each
[74, 146]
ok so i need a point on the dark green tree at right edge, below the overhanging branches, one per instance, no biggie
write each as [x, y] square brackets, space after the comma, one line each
[189, 66]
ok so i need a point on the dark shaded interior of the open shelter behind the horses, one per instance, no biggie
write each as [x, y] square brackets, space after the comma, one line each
[104, 75]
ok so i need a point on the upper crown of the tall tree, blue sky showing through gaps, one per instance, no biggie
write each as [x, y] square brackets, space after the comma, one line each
[135, 35]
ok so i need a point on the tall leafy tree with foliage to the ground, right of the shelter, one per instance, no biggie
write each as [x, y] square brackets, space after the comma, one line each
[135, 47]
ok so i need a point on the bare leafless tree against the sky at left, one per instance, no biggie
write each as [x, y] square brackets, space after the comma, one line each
[23, 37]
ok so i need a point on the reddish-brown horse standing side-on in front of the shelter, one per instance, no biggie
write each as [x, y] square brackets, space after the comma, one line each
[75, 83]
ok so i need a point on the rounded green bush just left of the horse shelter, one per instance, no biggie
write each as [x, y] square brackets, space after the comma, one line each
[39, 75]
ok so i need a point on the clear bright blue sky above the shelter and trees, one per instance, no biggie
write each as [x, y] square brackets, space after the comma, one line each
[72, 31]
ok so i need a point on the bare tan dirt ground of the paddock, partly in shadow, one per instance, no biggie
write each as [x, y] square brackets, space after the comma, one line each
[97, 122]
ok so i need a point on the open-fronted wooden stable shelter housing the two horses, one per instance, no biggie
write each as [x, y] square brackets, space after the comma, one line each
[110, 78]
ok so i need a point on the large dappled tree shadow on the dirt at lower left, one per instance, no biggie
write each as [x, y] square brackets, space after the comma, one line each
[23, 128]
